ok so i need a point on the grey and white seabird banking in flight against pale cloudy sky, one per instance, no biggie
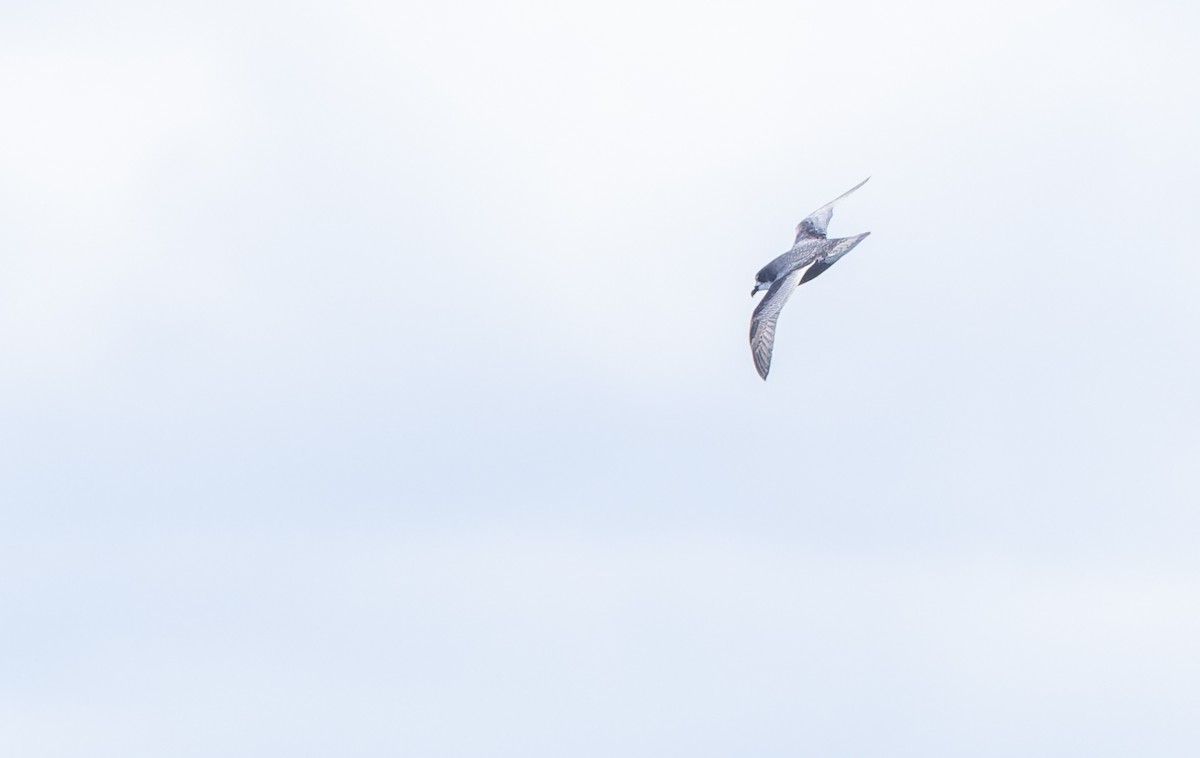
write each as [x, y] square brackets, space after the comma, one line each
[781, 278]
